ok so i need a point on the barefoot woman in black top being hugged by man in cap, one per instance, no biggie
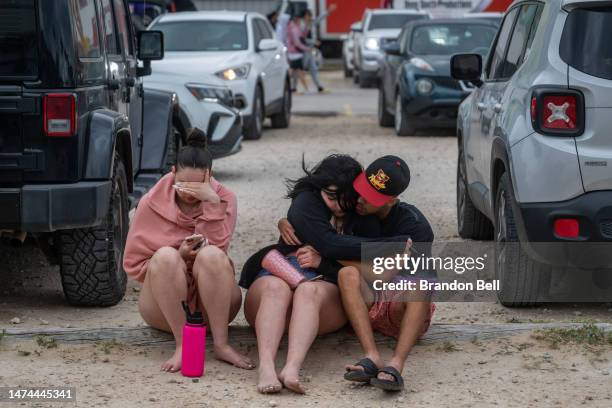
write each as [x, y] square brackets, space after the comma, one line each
[321, 201]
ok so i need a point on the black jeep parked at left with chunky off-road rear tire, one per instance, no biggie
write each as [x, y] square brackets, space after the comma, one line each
[73, 156]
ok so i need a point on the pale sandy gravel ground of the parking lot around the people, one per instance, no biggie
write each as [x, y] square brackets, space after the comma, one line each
[499, 372]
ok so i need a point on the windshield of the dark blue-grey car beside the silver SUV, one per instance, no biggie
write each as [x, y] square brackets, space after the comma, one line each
[448, 39]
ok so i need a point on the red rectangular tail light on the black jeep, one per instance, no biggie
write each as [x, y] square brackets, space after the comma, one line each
[60, 115]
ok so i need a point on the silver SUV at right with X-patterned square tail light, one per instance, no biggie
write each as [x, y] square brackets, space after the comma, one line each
[534, 144]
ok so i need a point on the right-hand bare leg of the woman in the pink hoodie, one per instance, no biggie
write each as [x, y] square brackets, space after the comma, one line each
[220, 298]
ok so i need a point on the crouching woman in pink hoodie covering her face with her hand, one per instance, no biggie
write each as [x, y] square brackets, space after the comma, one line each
[170, 267]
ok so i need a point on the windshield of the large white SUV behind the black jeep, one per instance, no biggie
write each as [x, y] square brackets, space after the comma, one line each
[204, 35]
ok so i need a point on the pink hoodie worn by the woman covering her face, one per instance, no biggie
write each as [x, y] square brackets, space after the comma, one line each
[159, 222]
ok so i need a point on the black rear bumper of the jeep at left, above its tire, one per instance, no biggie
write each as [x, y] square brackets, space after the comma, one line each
[52, 207]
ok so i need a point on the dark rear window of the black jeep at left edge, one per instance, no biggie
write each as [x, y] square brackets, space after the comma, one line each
[18, 45]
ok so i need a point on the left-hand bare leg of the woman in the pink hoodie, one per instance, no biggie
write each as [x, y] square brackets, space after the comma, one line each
[164, 288]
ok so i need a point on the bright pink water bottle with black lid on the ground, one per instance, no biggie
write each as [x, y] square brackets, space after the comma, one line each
[194, 344]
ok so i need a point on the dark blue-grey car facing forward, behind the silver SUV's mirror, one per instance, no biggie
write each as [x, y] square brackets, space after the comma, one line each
[416, 89]
